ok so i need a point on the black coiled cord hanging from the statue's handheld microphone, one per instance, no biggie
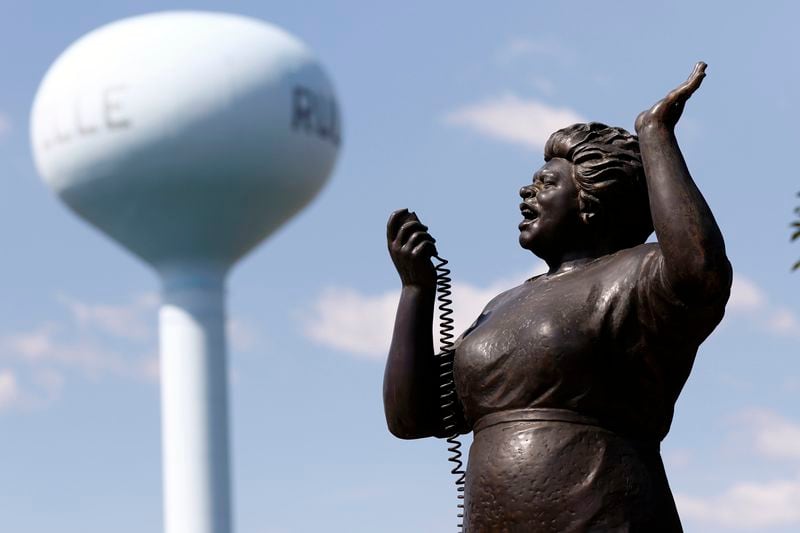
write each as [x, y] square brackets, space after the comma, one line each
[448, 400]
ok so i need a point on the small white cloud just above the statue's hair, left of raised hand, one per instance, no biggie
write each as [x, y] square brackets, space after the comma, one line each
[513, 119]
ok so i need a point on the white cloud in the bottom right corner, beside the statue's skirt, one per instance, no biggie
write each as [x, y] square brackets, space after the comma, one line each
[745, 505]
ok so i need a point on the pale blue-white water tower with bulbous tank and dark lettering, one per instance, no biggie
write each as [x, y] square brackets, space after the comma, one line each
[188, 137]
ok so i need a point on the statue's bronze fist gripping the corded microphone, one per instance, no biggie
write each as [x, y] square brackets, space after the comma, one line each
[411, 248]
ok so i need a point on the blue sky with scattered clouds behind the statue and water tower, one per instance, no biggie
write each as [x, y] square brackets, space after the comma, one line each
[445, 108]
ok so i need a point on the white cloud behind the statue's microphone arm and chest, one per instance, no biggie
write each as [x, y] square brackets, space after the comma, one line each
[347, 320]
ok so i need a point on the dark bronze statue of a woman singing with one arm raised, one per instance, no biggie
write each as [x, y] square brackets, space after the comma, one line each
[569, 380]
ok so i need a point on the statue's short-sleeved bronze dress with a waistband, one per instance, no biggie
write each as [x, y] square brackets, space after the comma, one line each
[569, 383]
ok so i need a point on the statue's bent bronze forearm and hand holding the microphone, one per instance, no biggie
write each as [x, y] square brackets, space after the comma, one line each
[410, 387]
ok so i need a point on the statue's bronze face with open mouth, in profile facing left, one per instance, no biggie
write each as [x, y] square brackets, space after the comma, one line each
[551, 211]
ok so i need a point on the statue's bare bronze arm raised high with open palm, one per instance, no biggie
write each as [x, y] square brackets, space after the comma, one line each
[691, 242]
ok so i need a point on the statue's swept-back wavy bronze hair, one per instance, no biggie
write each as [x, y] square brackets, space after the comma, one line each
[610, 179]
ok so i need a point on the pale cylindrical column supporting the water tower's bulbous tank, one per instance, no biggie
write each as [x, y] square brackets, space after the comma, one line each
[194, 404]
